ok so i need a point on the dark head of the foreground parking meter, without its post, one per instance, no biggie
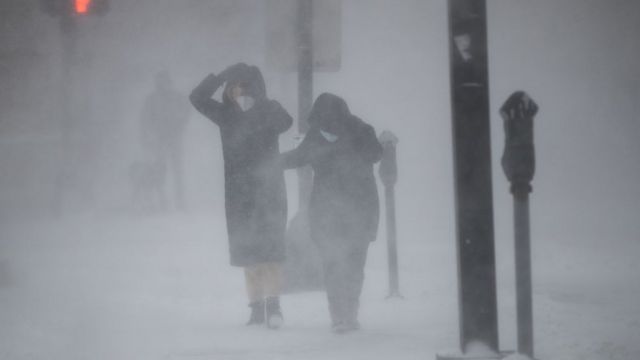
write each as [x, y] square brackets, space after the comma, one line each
[518, 158]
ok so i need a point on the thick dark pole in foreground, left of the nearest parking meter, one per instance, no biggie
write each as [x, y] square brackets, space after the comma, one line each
[472, 172]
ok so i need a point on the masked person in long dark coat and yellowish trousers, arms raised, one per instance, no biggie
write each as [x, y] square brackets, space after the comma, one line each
[255, 196]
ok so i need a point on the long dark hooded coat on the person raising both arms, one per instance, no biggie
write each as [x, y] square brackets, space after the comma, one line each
[255, 196]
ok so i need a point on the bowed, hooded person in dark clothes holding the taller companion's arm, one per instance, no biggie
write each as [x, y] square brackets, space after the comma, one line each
[343, 207]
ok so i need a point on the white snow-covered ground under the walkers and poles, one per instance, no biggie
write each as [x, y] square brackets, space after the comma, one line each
[160, 287]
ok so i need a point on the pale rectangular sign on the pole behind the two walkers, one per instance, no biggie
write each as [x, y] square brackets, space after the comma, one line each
[282, 35]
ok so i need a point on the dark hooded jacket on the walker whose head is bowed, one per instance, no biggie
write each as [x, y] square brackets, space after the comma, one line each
[344, 199]
